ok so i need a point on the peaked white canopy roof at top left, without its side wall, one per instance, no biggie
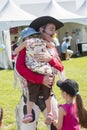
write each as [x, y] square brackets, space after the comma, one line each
[11, 16]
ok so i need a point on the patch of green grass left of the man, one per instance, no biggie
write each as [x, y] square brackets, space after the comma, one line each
[9, 98]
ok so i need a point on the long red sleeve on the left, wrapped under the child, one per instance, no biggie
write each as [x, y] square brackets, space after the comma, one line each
[25, 72]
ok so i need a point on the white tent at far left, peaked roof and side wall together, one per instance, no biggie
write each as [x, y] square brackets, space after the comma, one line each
[10, 16]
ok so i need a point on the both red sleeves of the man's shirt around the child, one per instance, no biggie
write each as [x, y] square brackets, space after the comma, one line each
[28, 74]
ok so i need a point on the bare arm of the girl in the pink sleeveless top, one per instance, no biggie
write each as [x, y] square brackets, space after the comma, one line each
[59, 123]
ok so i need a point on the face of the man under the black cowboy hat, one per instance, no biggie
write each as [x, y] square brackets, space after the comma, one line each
[50, 29]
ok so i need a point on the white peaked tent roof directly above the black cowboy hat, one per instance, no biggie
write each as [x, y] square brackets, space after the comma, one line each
[55, 10]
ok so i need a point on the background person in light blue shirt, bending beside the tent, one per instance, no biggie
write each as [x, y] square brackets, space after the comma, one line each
[66, 53]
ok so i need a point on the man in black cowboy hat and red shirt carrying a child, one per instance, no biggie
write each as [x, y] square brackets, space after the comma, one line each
[41, 24]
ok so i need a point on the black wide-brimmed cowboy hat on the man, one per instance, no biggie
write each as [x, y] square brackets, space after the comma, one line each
[41, 21]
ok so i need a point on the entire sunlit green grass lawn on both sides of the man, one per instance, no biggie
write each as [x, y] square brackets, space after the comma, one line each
[76, 69]
